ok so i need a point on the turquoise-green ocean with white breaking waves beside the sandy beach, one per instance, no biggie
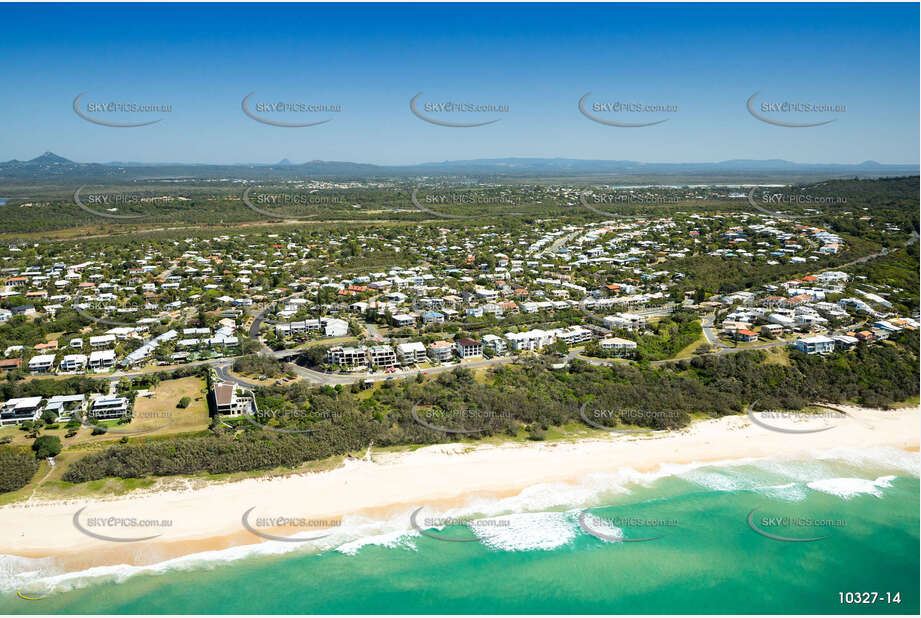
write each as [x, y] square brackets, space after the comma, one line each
[703, 538]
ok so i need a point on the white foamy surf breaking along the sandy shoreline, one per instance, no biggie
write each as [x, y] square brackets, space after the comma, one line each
[541, 517]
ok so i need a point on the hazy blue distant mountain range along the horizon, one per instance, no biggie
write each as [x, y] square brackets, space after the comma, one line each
[50, 166]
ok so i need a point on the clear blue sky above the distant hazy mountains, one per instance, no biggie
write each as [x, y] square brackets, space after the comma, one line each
[538, 59]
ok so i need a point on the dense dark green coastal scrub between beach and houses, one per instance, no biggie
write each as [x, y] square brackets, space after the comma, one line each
[524, 399]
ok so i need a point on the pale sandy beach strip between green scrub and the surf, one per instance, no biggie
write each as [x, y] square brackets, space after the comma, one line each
[212, 518]
